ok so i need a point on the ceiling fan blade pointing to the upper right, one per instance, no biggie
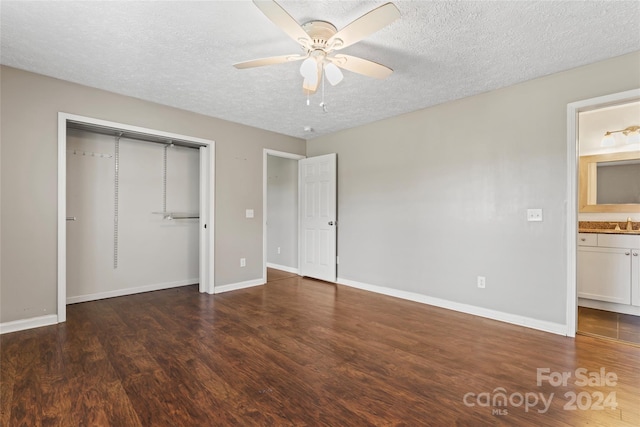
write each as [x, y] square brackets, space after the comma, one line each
[367, 24]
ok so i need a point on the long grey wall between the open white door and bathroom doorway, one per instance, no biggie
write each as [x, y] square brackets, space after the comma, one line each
[430, 200]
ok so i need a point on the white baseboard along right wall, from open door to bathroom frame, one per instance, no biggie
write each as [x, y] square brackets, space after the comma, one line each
[542, 325]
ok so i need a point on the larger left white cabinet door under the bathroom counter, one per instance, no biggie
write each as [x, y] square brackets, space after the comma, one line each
[604, 274]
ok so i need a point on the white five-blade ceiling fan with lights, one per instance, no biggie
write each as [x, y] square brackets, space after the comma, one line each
[320, 40]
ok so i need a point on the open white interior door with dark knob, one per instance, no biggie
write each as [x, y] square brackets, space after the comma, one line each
[317, 210]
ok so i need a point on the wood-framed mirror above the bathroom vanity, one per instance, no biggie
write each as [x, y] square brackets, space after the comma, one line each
[610, 182]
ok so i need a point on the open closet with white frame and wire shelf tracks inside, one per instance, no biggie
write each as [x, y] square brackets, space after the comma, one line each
[135, 210]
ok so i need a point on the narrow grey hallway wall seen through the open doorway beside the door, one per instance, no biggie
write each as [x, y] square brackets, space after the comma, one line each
[282, 211]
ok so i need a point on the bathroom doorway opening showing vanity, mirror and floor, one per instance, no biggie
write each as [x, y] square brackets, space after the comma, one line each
[607, 253]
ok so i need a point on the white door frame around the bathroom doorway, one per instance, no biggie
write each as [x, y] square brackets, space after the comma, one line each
[572, 192]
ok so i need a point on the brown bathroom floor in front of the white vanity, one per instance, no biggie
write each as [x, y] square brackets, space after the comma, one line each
[624, 327]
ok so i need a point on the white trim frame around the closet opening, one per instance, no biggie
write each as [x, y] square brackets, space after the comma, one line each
[207, 190]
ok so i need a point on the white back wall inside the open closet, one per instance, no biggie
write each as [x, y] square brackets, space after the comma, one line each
[153, 253]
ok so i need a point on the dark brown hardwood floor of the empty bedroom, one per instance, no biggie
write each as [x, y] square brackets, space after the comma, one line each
[304, 353]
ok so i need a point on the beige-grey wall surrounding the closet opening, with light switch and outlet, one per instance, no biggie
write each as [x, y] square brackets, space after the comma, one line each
[29, 109]
